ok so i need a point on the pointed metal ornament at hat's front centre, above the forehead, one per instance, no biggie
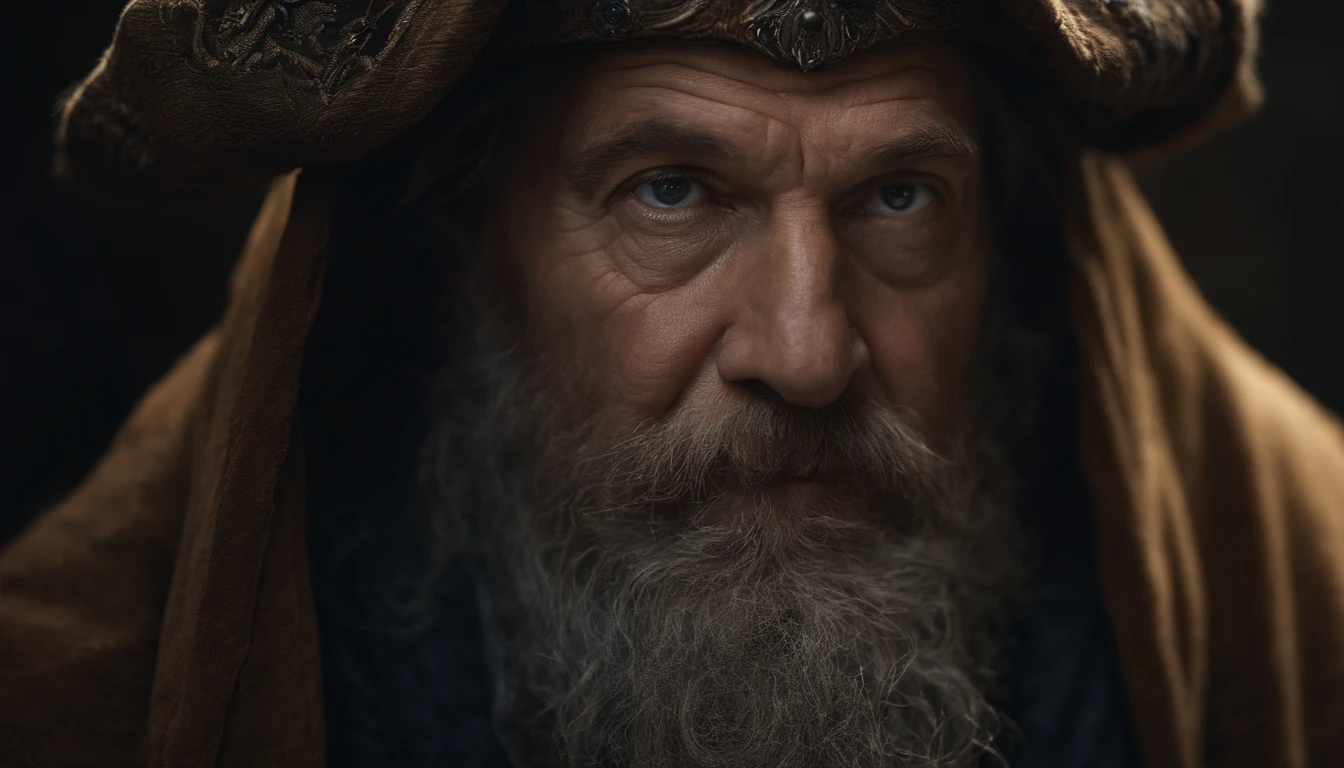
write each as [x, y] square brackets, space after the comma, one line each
[806, 33]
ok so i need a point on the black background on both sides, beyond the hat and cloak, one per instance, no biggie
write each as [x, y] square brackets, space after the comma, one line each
[97, 303]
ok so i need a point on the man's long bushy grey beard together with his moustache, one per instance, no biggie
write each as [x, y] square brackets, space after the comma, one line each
[648, 618]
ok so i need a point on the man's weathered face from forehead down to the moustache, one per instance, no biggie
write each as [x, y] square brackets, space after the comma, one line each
[787, 272]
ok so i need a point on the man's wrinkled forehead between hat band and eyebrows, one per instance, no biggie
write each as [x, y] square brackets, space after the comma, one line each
[724, 85]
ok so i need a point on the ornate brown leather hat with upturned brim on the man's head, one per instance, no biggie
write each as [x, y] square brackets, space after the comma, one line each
[201, 98]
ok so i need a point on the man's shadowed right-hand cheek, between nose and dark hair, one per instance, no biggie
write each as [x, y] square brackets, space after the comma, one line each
[925, 341]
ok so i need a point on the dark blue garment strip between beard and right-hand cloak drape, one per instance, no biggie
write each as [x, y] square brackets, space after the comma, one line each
[1064, 691]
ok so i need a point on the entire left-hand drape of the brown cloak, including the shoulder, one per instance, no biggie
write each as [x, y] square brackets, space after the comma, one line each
[162, 615]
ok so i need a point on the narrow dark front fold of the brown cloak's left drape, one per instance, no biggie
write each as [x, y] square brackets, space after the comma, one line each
[240, 629]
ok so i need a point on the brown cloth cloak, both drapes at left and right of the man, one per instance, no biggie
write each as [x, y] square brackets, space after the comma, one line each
[163, 617]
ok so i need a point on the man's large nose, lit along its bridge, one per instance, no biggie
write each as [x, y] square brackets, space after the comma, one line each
[792, 333]
